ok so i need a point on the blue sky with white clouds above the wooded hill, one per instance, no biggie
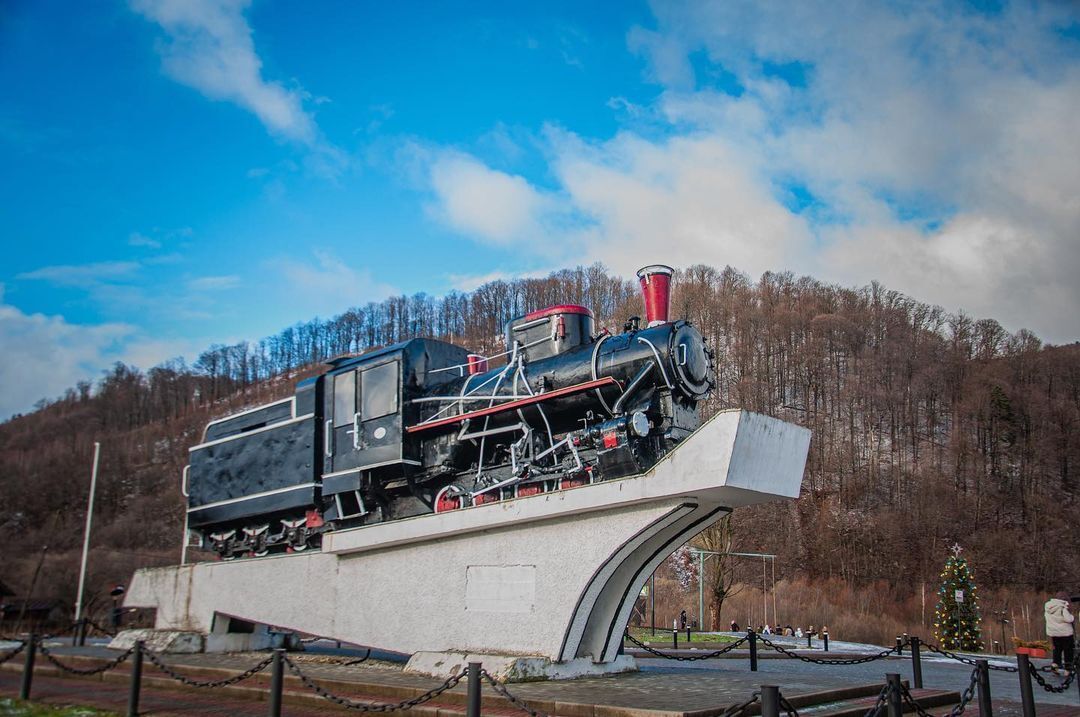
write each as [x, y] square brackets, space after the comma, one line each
[184, 172]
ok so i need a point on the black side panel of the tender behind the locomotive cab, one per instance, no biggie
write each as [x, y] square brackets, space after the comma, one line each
[266, 471]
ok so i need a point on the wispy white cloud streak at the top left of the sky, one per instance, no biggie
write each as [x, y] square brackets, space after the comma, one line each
[210, 48]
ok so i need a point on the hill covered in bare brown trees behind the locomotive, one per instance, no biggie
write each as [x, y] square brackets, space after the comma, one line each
[928, 427]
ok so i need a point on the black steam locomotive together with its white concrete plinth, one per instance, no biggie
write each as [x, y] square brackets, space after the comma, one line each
[420, 499]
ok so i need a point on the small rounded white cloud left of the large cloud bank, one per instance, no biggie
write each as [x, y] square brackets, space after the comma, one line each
[477, 200]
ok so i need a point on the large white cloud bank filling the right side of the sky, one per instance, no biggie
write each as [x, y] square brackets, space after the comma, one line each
[933, 147]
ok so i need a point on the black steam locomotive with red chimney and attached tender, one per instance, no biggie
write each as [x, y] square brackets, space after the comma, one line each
[425, 427]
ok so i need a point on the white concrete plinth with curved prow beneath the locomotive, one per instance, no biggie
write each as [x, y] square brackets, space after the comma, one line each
[552, 576]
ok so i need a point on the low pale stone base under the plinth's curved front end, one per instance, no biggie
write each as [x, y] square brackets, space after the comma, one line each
[517, 669]
